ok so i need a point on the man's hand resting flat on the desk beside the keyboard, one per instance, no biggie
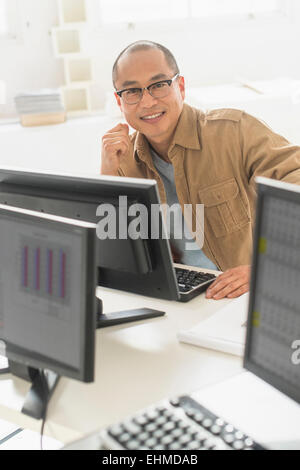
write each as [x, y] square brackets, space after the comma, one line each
[232, 283]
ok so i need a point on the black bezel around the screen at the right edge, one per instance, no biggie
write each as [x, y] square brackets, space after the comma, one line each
[264, 189]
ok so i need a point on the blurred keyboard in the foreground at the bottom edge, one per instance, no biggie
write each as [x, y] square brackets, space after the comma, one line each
[178, 424]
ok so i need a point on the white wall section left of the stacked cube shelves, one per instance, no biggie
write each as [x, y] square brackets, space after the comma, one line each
[28, 63]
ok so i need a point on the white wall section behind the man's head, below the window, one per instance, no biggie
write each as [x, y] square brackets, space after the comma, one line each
[211, 53]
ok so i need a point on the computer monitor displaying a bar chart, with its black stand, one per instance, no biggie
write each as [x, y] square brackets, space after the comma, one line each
[47, 299]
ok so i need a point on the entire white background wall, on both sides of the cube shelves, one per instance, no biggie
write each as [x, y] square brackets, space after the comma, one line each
[208, 54]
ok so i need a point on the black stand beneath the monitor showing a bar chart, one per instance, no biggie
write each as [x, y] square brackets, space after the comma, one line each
[43, 385]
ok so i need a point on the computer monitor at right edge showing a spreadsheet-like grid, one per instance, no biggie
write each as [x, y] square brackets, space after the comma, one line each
[274, 304]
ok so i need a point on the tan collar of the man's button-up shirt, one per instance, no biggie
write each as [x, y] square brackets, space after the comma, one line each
[186, 135]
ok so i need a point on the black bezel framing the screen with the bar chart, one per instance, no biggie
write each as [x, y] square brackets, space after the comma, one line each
[27, 358]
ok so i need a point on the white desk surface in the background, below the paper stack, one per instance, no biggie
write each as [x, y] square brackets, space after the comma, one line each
[73, 146]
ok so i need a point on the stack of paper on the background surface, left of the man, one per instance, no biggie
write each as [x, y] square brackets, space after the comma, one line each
[40, 107]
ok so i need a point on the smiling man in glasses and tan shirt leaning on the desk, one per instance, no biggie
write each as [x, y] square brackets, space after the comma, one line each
[200, 158]
